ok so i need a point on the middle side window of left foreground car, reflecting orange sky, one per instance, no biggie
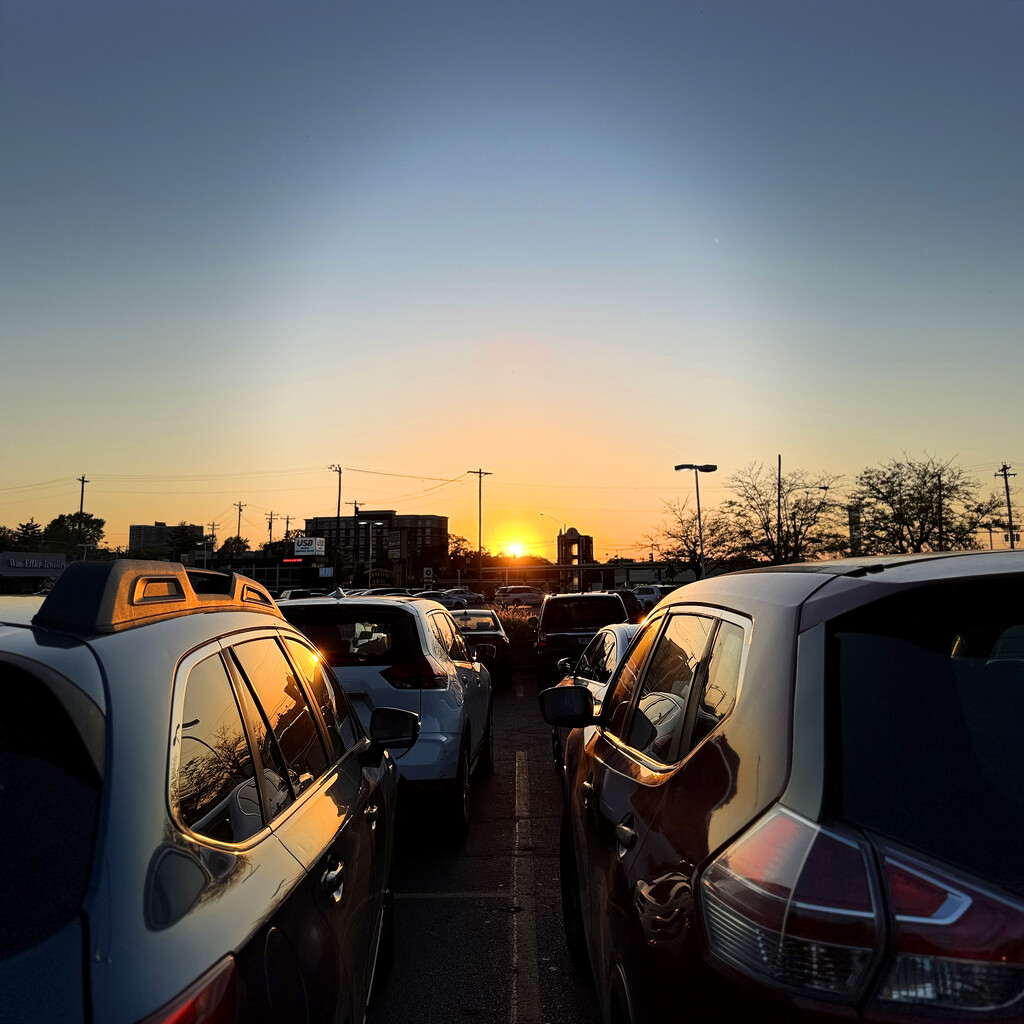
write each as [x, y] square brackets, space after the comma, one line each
[286, 710]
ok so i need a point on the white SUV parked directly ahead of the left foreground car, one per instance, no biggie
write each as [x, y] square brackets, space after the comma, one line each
[408, 653]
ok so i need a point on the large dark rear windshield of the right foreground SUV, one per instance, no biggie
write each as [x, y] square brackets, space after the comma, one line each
[927, 701]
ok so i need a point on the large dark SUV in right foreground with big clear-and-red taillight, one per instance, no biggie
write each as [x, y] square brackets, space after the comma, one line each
[802, 798]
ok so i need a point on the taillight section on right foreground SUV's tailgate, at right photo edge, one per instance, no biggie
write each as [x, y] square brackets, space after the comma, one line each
[958, 947]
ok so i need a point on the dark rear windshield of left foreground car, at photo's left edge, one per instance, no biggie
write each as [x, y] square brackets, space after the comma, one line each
[50, 804]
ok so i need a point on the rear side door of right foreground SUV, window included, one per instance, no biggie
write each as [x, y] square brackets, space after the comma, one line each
[633, 751]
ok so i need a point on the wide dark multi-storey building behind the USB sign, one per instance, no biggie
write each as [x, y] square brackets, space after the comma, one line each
[382, 539]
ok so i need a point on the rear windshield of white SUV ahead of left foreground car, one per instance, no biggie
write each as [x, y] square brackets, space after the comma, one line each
[354, 634]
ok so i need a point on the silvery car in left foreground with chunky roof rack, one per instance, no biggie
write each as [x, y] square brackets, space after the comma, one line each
[185, 790]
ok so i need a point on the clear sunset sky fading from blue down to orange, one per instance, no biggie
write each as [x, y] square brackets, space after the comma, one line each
[571, 243]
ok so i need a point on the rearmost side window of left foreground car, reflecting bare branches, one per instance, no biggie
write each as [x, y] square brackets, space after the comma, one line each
[217, 791]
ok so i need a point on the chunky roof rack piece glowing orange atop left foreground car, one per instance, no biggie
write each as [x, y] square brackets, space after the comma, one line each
[109, 598]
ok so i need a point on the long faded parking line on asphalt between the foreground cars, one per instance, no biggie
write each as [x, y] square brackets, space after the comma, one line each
[526, 982]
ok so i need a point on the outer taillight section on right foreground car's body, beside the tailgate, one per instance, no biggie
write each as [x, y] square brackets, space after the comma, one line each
[792, 904]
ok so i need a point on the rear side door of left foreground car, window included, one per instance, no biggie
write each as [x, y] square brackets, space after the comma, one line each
[328, 828]
